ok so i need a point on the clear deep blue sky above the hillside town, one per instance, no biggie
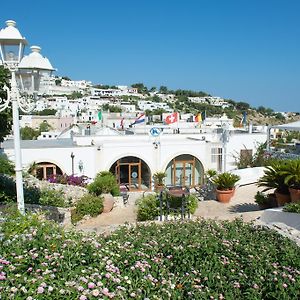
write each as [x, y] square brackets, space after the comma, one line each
[237, 49]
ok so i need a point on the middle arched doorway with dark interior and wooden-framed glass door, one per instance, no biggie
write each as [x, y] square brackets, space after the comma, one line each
[132, 172]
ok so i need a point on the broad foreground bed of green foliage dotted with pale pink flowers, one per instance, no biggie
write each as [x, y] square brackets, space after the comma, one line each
[182, 260]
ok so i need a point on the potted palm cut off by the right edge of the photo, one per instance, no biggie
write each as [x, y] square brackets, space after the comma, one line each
[292, 179]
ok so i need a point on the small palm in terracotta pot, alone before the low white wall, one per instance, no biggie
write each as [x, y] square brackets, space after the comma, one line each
[225, 184]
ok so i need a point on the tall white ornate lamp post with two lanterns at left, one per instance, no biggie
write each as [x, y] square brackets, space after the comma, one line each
[12, 46]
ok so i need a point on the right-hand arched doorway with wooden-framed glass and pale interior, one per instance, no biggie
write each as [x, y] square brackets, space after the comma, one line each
[184, 170]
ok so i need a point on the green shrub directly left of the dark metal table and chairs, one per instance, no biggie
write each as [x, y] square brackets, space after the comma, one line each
[148, 208]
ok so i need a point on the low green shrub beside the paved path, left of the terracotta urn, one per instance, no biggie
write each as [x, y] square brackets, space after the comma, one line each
[90, 205]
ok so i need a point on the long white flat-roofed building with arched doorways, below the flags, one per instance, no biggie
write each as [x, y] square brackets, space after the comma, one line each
[134, 157]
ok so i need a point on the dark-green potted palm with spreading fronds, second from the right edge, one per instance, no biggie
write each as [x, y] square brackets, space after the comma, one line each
[274, 178]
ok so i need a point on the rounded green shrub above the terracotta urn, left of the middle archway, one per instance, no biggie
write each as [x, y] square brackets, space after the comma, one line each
[105, 182]
